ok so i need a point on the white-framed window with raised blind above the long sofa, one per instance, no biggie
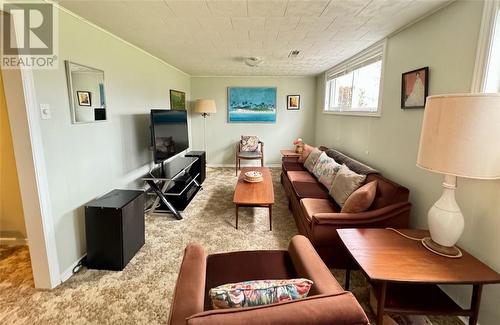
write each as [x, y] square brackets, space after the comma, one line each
[354, 86]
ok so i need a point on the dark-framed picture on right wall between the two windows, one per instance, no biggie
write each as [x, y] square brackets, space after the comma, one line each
[414, 88]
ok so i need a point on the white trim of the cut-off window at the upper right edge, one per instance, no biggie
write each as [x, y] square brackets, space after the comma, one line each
[489, 37]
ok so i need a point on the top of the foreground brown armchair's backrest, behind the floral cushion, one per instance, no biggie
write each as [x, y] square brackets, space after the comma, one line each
[341, 308]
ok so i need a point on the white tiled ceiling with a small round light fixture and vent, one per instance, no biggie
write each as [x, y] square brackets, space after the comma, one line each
[211, 37]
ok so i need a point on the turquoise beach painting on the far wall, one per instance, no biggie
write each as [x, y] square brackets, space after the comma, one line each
[251, 104]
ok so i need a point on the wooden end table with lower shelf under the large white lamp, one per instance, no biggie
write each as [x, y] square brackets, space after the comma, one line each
[405, 275]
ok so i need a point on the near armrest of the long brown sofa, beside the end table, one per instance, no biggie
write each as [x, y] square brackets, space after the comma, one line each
[365, 217]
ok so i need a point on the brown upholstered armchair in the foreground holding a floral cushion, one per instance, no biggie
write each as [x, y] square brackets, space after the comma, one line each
[327, 302]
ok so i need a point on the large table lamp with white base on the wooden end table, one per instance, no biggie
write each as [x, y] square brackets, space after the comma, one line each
[460, 138]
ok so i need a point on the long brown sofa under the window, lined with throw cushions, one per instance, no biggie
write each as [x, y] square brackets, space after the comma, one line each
[318, 217]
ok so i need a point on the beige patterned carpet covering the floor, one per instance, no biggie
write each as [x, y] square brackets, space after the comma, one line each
[141, 293]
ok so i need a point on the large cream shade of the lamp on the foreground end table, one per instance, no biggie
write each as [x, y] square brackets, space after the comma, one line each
[461, 135]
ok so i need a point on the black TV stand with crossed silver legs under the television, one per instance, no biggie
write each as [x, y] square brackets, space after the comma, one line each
[174, 184]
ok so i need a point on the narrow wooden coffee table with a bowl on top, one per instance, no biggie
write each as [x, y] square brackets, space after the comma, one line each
[255, 194]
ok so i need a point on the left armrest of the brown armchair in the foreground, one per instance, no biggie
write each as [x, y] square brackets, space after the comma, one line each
[188, 298]
